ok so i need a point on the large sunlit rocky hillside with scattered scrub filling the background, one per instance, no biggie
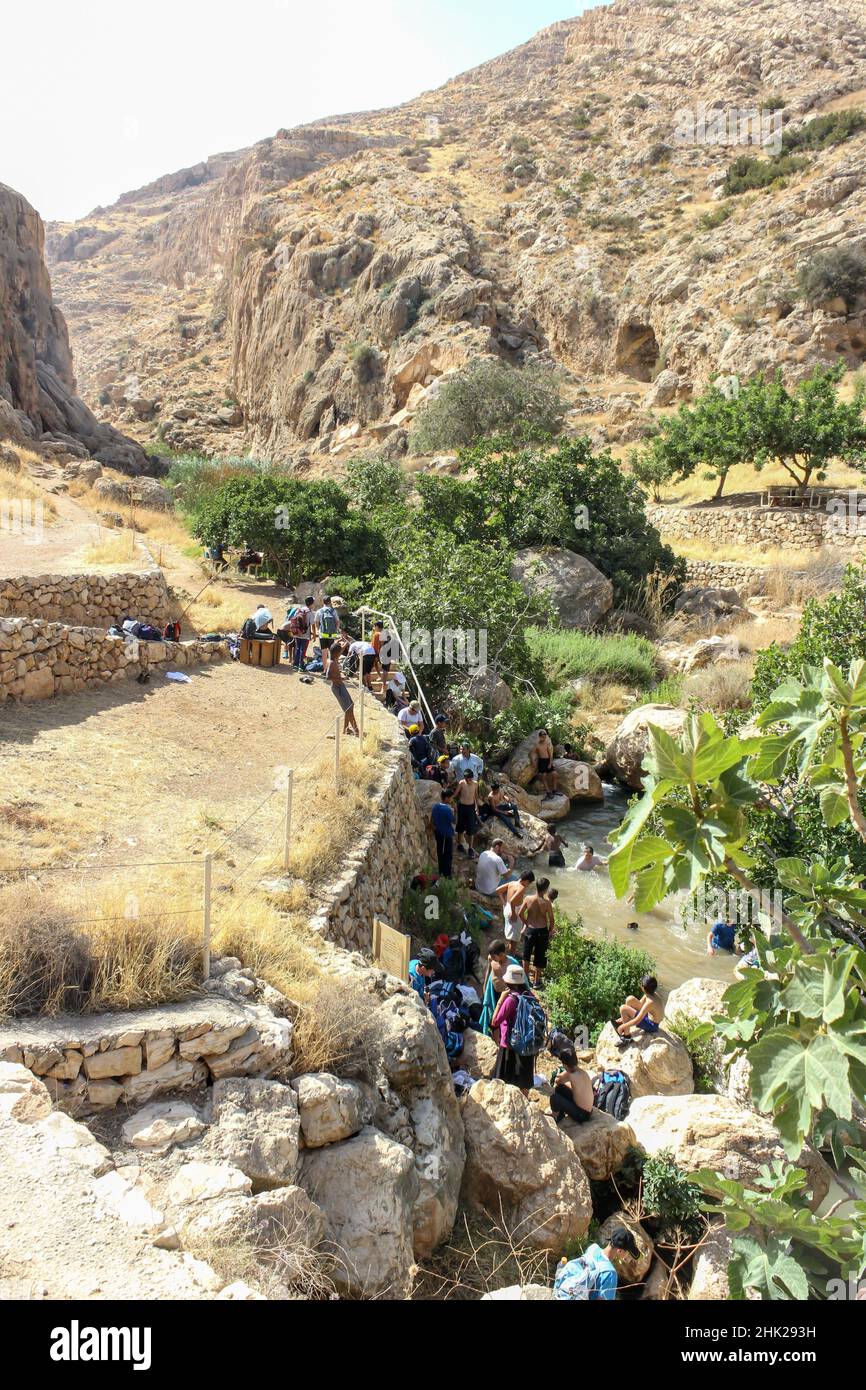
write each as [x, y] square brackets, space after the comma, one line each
[302, 298]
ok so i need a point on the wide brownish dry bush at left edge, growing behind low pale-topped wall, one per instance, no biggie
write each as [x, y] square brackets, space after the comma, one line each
[88, 958]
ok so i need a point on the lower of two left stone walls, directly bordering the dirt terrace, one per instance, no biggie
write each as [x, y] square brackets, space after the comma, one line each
[42, 660]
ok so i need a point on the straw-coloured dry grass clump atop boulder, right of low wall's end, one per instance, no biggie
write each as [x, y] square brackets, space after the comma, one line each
[334, 1031]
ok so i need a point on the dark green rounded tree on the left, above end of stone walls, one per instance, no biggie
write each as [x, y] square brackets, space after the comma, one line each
[304, 530]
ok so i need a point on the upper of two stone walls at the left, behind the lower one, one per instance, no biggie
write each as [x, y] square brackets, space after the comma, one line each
[88, 600]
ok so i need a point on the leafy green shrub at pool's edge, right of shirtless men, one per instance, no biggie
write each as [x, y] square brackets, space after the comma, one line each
[589, 981]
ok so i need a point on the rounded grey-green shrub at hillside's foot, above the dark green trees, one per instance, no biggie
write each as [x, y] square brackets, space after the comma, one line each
[487, 398]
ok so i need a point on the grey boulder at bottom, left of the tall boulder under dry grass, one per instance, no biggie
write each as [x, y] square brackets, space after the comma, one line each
[368, 1189]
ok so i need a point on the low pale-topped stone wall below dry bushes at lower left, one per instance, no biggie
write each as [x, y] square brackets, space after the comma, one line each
[94, 1064]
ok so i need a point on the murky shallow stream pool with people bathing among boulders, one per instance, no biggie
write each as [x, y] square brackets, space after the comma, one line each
[680, 953]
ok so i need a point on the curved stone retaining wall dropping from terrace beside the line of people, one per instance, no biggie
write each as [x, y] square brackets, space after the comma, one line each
[394, 846]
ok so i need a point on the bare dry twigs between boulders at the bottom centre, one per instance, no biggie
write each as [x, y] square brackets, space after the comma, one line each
[483, 1254]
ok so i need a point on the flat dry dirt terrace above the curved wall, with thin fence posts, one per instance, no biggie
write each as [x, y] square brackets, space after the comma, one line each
[155, 772]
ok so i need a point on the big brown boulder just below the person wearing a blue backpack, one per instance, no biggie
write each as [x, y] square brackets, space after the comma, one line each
[518, 1163]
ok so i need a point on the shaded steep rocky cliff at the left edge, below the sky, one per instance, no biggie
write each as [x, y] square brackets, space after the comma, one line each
[38, 397]
